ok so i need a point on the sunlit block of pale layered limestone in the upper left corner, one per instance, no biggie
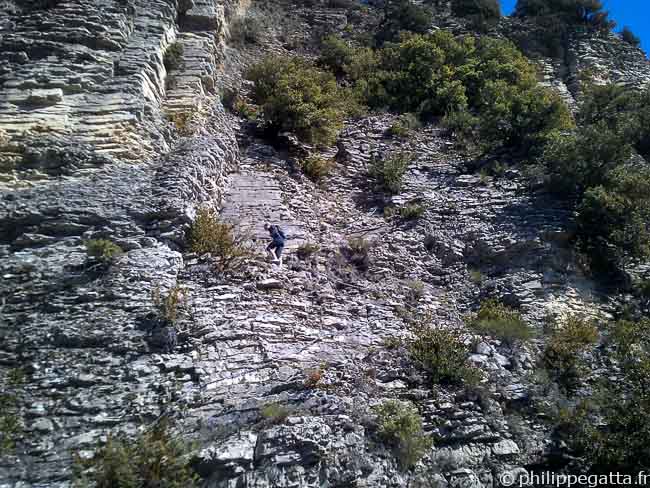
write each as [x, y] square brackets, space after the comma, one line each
[89, 78]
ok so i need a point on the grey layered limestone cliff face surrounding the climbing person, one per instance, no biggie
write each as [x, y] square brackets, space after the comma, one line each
[91, 149]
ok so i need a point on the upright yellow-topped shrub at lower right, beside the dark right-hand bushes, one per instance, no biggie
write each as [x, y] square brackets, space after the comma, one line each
[561, 356]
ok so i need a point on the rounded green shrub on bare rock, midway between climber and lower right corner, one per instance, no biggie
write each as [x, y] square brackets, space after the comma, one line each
[443, 355]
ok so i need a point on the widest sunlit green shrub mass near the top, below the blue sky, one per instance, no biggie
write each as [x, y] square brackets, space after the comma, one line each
[485, 85]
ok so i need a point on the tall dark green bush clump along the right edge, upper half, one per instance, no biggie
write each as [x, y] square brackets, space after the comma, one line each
[593, 165]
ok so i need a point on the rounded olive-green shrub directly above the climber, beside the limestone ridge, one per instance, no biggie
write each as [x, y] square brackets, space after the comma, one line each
[296, 96]
